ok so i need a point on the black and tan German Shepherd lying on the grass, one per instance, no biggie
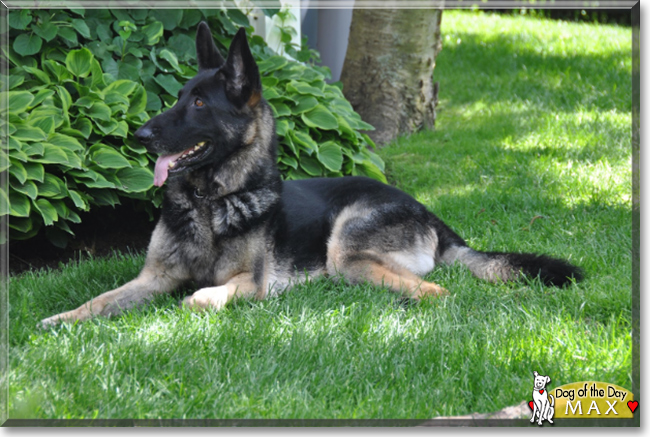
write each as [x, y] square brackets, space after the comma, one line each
[230, 224]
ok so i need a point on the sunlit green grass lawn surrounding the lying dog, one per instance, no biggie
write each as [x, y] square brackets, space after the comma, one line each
[532, 152]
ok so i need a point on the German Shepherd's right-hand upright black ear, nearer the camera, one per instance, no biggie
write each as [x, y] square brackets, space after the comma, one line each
[243, 84]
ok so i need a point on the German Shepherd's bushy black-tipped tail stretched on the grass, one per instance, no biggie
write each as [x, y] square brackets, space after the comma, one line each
[502, 266]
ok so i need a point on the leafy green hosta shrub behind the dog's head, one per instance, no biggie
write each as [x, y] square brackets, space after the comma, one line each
[81, 81]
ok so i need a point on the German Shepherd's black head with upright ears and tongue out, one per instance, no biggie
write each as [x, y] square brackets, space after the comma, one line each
[208, 122]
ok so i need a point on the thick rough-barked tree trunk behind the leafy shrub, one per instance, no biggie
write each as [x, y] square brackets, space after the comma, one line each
[388, 69]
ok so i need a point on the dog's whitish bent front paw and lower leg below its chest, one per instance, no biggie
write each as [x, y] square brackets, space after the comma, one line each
[241, 285]
